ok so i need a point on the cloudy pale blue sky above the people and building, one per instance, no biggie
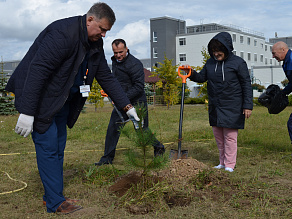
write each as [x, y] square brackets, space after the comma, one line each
[22, 20]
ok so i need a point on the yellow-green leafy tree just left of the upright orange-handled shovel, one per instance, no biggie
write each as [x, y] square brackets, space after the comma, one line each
[169, 81]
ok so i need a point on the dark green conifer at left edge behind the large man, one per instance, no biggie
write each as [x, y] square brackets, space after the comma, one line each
[6, 101]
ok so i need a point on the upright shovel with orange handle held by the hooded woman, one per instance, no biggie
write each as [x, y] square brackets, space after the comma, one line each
[181, 154]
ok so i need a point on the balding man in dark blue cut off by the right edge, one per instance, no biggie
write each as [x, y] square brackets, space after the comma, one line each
[281, 52]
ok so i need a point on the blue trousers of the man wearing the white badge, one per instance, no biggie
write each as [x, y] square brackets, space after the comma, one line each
[50, 148]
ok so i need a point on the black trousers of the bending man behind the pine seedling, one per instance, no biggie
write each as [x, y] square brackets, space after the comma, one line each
[113, 135]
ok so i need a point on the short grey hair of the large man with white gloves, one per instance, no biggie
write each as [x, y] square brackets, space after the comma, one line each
[102, 10]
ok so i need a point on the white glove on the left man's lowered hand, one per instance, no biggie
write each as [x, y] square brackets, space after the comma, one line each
[24, 125]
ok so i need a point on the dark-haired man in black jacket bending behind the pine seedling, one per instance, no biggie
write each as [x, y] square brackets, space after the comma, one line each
[130, 73]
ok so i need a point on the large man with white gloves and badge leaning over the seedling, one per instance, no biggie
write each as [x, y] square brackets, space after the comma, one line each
[50, 86]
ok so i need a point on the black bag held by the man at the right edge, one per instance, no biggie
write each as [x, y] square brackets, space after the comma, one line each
[274, 99]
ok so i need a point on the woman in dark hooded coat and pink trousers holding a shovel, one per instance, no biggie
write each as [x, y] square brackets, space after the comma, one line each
[230, 96]
